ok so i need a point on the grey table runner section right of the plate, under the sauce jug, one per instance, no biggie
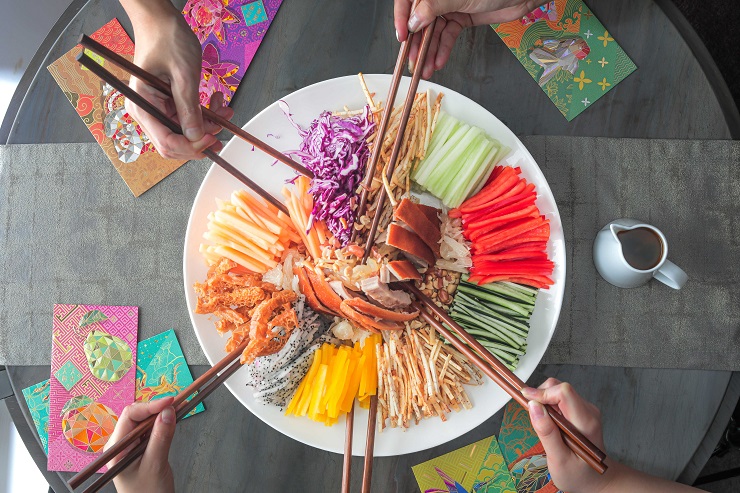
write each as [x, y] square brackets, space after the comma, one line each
[690, 190]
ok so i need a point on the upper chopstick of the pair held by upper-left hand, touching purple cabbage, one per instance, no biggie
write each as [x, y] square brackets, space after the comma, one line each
[157, 83]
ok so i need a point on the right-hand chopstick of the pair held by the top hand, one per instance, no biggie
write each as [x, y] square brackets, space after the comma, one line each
[410, 95]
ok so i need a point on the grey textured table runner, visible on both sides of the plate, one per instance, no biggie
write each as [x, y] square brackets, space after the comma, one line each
[72, 233]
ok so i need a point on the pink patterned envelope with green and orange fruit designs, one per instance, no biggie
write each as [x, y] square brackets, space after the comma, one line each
[93, 357]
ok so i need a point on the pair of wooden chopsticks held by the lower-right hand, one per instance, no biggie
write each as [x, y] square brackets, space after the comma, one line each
[504, 377]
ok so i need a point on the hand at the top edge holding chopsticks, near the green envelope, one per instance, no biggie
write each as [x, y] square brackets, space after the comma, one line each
[458, 14]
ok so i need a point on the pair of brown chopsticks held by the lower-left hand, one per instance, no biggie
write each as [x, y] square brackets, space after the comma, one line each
[139, 436]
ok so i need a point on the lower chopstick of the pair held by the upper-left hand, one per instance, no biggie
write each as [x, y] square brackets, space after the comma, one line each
[139, 100]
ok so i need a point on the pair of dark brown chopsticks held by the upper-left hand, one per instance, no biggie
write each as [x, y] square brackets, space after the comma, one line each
[157, 83]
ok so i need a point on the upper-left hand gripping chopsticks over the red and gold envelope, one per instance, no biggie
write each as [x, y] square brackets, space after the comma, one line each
[168, 49]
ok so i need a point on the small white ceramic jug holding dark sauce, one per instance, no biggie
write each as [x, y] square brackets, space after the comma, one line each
[610, 261]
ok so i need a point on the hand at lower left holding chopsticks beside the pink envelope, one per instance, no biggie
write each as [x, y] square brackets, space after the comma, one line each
[151, 472]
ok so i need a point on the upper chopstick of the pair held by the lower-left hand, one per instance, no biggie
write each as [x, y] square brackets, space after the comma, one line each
[144, 427]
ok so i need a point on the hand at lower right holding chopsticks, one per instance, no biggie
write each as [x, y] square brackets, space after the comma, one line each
[569, 472]
